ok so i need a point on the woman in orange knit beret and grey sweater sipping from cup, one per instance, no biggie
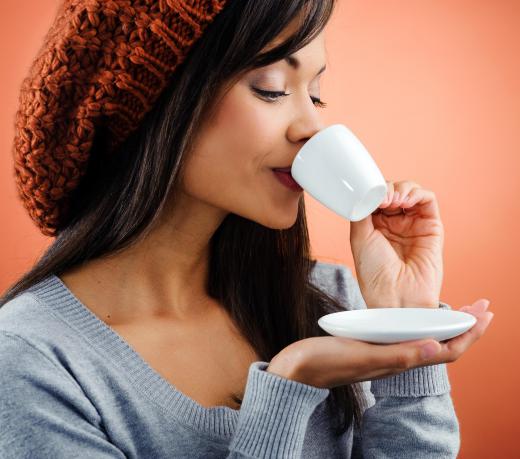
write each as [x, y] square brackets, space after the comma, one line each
[175, 314]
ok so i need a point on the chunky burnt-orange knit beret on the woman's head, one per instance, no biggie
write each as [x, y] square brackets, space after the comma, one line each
[102, 62]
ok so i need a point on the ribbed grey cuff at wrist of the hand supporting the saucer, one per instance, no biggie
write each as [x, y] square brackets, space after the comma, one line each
[274, 414]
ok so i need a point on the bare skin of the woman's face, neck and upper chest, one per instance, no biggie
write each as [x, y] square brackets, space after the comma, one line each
[153, 294]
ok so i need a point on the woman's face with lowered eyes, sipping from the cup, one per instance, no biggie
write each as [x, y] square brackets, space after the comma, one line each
[231, 165]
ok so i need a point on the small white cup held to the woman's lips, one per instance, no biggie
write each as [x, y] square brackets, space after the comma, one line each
[335, 168]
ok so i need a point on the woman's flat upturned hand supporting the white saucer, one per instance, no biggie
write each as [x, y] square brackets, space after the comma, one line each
[330, 361]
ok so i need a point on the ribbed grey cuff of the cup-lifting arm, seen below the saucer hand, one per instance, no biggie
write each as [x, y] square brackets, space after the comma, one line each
[416, 382]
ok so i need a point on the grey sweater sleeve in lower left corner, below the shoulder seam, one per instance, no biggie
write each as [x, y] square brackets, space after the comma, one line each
[43, 412]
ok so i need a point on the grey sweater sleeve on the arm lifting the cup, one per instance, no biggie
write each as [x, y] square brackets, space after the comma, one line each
[412, 415]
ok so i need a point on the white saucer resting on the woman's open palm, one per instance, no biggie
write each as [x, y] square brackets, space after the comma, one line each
[394, 325]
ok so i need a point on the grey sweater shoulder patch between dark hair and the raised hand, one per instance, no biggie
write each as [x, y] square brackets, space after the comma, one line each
[338, 280]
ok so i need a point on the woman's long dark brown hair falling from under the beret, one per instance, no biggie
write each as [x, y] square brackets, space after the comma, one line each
[260, 275]
